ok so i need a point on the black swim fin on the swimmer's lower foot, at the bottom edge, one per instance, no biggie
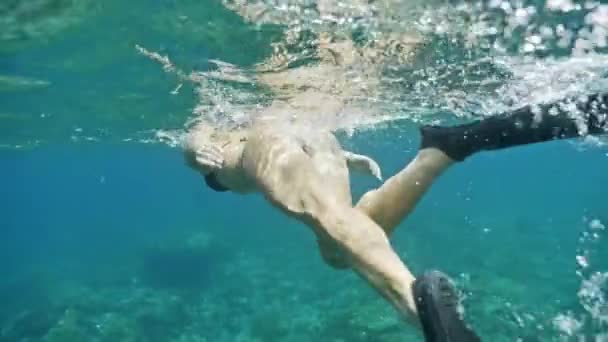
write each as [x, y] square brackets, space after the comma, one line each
[437, 304]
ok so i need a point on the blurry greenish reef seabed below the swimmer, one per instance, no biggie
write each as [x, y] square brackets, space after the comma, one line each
[260, 295]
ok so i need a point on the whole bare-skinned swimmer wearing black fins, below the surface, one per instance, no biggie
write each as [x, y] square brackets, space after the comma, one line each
[305, 173]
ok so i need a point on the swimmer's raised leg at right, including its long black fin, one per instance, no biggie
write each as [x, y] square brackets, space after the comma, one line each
[442, 146]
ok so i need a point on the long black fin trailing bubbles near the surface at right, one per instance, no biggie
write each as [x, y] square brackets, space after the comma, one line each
[530, 124]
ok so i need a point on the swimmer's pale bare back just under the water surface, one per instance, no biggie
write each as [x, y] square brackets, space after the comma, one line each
[297, 156]
